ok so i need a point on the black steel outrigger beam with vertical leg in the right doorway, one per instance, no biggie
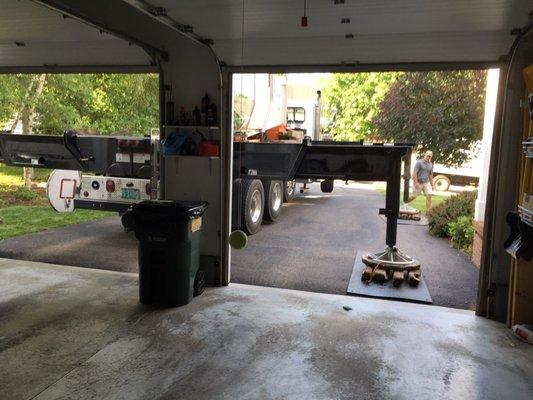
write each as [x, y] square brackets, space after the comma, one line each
[330, 161]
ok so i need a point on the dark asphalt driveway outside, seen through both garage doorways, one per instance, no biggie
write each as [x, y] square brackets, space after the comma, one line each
[312, 247]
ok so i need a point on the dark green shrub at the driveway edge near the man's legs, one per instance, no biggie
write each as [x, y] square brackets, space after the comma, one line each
[449, 210]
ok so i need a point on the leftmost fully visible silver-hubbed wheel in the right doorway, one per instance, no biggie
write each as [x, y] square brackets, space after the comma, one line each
[253, 205]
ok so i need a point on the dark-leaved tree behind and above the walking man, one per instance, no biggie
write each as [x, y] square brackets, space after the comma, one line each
[440, 111]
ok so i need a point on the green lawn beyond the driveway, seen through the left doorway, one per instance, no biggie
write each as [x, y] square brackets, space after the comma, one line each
[25, 211]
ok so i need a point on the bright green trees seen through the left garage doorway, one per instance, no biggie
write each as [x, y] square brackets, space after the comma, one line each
[104, 103]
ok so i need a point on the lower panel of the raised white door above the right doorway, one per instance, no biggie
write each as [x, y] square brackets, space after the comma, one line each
[368, 49]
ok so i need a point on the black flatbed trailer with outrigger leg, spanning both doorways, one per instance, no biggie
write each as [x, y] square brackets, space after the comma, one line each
[125, 170]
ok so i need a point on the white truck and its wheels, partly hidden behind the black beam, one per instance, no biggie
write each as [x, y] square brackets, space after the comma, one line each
[271, 117]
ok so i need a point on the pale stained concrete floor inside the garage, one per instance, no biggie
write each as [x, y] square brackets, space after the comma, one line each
[80, 333]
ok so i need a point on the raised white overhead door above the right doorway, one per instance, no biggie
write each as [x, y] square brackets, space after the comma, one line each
[384, 31]
